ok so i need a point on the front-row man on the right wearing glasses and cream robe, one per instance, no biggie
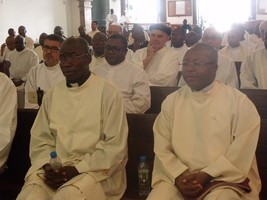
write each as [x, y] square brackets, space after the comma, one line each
[203, 141]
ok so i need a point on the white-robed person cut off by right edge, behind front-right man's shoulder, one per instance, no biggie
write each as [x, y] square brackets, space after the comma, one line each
[253, 70]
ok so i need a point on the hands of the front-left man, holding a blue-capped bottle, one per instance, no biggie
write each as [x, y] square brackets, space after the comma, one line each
[56, 178]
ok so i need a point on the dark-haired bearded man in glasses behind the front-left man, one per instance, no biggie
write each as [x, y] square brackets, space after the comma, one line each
[45, 75]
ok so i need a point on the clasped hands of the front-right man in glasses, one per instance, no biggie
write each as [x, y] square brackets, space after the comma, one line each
[192, 184]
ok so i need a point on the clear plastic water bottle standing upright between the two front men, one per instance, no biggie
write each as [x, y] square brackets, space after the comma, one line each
[143, 177]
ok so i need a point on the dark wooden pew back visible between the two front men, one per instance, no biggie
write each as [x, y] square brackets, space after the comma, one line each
[140, 142]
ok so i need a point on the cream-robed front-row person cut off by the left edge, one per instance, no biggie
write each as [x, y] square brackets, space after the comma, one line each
[8, 117]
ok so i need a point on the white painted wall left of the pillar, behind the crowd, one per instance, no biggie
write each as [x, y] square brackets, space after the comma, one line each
[38, 16]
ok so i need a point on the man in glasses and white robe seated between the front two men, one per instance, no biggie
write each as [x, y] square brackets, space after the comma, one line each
[131, 80]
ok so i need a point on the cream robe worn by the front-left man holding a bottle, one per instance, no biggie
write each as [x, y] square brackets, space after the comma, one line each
[87, 127]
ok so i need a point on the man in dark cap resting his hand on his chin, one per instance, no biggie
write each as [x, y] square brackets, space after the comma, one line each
[160, 63]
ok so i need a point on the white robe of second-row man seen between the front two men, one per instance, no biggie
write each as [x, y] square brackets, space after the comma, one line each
[133, 83]
